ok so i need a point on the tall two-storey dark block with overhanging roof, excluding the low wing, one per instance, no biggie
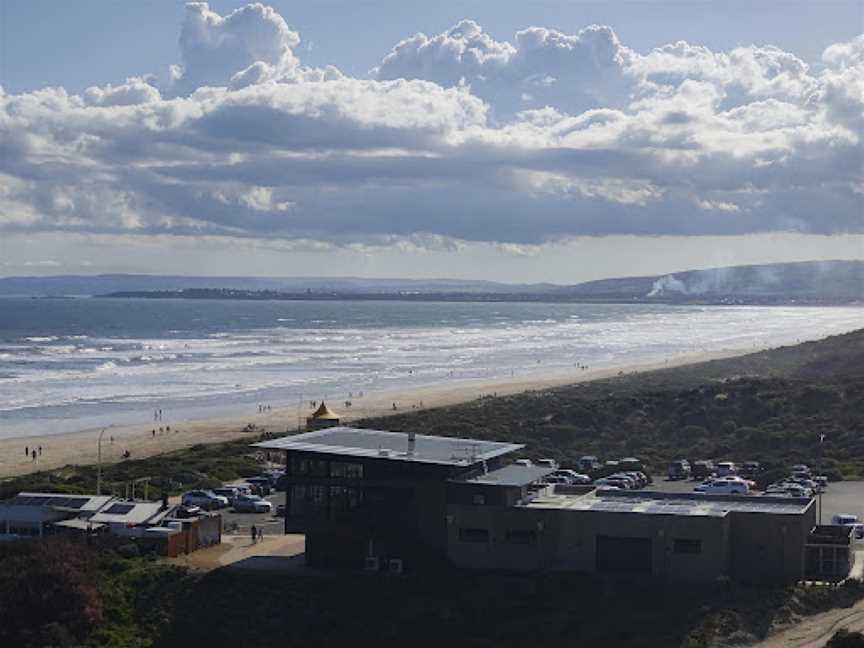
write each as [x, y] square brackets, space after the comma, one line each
[358, 493]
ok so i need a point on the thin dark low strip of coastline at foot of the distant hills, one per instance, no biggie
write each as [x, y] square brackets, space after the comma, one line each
[543, 297]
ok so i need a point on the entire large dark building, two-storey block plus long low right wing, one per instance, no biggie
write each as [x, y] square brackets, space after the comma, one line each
[385, 497]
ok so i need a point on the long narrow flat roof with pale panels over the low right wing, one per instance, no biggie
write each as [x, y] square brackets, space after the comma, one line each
[690, 504]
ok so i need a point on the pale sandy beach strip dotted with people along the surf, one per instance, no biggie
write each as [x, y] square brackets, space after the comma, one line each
[81, 447]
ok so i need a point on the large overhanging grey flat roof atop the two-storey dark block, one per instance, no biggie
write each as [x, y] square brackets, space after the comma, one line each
[379, 444]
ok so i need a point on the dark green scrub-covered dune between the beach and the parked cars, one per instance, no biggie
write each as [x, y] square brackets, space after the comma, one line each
[772, 407]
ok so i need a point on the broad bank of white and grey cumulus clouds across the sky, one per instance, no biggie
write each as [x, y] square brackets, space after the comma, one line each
[456, 136]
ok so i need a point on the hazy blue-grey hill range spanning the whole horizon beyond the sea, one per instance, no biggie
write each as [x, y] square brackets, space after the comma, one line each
[822, 282]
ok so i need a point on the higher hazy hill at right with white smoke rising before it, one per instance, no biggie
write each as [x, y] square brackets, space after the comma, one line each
[812, 281]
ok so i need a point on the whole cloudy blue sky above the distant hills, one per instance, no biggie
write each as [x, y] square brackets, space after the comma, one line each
[538, 141]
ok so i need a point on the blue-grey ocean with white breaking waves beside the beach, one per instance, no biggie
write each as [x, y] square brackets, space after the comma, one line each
[73, 364]
